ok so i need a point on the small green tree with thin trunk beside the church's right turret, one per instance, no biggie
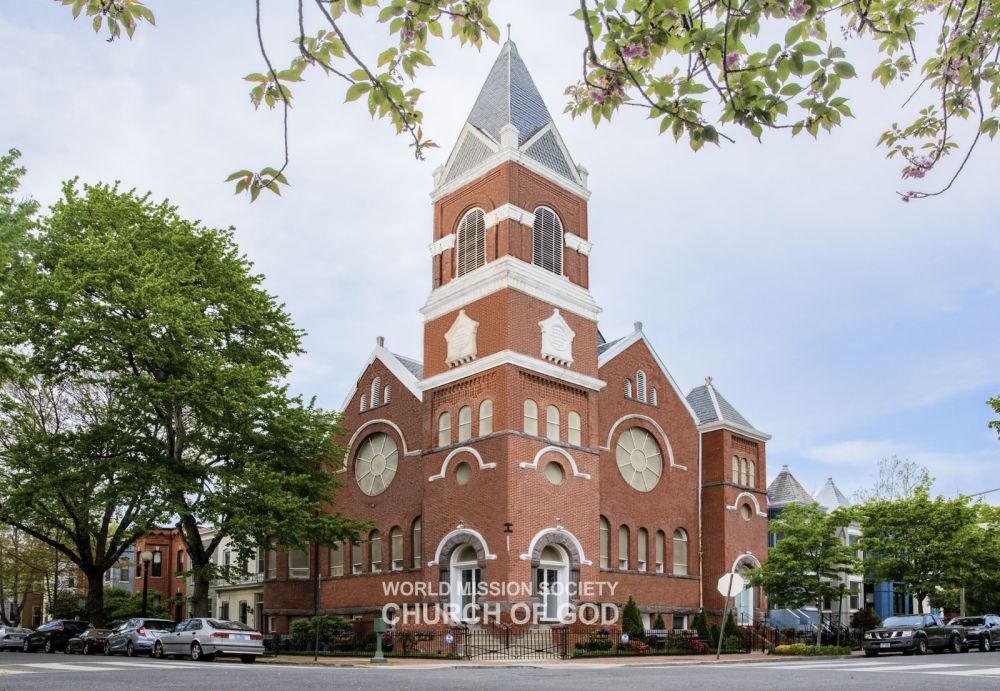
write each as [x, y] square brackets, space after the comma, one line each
[805, 567]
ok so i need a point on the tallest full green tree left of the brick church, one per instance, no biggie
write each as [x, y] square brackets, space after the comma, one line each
[166, 314]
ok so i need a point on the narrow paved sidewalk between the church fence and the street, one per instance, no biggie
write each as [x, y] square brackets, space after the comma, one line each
[432, 663]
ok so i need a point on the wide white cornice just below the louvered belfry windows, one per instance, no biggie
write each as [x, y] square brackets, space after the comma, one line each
[510, 273]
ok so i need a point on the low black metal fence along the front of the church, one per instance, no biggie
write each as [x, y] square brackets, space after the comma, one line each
[526, 643]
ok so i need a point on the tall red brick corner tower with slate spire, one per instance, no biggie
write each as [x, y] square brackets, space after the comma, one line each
[510, 337]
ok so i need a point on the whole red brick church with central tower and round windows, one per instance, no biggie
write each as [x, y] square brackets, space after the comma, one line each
[526, 448]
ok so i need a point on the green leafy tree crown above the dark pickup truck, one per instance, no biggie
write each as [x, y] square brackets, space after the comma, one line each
[919, 542]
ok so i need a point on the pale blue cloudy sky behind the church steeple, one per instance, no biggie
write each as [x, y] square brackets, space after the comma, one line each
[845, 323]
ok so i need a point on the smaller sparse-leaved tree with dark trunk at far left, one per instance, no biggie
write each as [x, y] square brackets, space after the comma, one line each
[73, 473]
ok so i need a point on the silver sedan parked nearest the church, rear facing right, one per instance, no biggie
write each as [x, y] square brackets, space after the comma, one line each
[206, 638]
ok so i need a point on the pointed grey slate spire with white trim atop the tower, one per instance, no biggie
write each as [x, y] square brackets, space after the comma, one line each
[509, 121]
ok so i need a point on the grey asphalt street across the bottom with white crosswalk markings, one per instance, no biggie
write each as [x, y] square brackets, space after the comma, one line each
[967, 671]
